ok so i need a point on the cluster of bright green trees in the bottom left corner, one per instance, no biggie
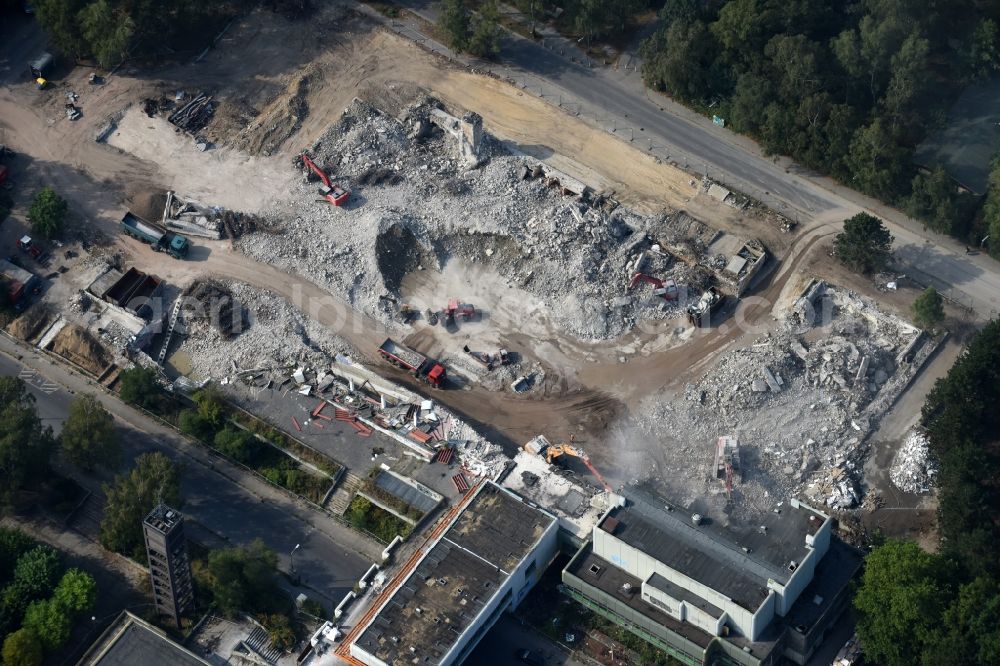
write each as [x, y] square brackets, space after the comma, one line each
[40, 599]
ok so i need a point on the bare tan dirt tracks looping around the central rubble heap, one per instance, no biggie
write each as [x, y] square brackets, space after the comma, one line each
[268, 67]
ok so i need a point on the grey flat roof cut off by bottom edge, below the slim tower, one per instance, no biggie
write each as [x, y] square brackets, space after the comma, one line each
[130, 641]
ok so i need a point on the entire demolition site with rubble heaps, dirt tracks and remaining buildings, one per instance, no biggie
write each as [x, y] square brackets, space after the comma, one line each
[508, 351]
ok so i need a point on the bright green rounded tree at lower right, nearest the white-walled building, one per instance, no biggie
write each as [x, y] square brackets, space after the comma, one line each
[903, 593]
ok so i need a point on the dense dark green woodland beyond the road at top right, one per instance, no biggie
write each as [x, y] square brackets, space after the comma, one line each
[847, 88]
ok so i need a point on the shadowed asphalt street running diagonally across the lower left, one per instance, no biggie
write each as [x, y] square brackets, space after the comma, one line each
[212, 499]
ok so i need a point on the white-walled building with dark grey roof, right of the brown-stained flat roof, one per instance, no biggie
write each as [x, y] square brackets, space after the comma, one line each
[711, 593]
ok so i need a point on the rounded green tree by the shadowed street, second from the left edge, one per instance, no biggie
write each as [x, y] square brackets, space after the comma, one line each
[89, 438]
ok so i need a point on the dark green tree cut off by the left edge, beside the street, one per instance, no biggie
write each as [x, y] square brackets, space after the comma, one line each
[25, 446]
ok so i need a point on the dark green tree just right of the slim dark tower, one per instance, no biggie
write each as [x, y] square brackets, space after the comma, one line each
[243, 579]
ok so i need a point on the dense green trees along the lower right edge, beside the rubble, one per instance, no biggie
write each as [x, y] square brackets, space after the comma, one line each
[922, 608]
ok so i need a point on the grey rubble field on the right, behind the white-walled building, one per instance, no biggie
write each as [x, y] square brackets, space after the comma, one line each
[803, 401]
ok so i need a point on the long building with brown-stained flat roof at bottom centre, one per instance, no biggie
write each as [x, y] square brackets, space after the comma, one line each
[484, 562]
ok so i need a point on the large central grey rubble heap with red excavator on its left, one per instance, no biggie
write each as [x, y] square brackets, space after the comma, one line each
[417, 202]
